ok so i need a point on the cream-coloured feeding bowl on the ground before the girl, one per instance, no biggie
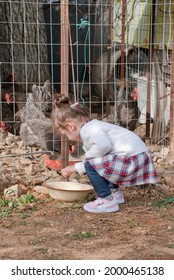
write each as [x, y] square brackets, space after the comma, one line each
[67, 191]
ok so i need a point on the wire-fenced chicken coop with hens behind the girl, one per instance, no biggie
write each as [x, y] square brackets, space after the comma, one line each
[115, 57]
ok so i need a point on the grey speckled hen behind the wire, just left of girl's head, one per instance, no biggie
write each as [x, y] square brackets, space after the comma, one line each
[37, 128]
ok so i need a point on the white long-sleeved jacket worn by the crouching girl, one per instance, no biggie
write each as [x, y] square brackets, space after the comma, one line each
[100, 138]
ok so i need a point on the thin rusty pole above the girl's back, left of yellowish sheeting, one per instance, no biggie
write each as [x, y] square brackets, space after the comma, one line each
[124, 3]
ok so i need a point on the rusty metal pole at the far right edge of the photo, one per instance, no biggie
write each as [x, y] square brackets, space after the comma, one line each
[171, 145]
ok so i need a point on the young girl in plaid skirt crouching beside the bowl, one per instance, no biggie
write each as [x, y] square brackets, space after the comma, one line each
[114, 156]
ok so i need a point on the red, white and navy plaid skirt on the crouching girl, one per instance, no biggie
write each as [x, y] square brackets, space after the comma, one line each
[128, 171]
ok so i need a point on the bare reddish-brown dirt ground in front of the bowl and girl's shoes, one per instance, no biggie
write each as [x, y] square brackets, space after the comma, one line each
[46, 229]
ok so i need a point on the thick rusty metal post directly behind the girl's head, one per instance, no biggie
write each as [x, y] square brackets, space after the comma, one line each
[64, 29]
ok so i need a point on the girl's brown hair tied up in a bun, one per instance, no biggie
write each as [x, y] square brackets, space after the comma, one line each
[64, 109]
